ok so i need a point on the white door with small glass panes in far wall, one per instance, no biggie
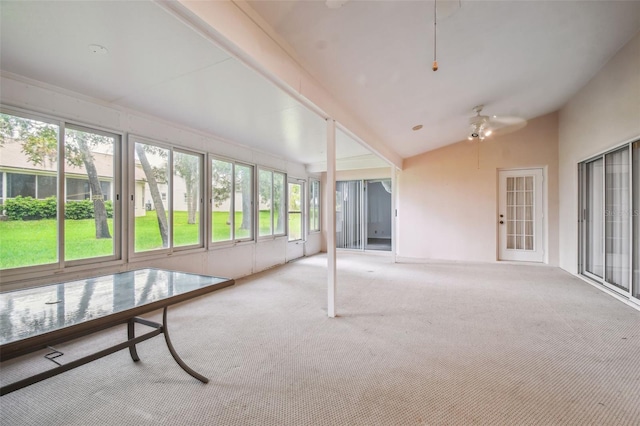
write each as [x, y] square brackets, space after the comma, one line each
[521, 215]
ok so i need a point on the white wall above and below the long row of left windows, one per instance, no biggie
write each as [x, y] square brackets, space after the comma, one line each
[232, 261]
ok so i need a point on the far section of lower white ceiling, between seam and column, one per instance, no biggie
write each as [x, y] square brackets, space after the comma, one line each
[232, 101]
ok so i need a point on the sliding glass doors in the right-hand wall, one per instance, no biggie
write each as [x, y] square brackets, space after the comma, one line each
[609, 236]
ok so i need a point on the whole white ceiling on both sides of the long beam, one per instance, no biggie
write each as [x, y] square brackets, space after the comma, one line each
[524, 58]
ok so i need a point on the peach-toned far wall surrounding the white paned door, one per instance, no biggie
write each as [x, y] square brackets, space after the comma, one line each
[448, 198]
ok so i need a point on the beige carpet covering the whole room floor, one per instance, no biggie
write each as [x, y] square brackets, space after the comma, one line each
[440, 343]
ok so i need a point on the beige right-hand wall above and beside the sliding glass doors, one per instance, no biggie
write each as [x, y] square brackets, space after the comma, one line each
[602, 115]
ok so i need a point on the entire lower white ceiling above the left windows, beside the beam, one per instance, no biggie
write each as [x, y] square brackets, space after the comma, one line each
[158, 65]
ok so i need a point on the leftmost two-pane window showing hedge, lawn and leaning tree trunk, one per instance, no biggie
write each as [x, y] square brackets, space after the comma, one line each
[36, 166]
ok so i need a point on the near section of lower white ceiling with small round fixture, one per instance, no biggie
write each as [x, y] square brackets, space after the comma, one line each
[49, 41]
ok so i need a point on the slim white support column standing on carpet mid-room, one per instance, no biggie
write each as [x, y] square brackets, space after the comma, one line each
[331, 217]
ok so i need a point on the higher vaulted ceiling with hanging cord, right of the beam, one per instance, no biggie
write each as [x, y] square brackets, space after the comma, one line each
[523, 58]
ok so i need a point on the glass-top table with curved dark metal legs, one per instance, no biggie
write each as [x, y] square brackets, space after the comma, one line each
[37, 318]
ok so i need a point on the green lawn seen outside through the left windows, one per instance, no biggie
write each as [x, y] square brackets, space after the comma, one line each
[28, 243]
